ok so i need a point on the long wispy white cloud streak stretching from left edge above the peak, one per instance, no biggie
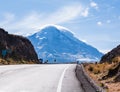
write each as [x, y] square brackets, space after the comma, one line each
[33, 21]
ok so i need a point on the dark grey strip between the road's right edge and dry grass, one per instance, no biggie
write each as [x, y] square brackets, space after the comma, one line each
[87, 83]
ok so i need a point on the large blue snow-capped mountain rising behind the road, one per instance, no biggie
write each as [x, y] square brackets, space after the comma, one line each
[55, 43]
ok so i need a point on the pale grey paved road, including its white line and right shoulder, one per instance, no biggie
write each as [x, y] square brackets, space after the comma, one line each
[39, 78]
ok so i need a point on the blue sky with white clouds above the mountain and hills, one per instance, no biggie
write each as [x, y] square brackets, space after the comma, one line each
[96, 22]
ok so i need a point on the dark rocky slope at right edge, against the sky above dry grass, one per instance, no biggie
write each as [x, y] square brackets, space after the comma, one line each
[111, 55]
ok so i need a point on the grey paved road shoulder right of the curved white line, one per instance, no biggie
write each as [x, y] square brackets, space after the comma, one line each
[70, 82]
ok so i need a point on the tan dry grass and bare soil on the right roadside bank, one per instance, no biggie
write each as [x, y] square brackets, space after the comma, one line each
[97, 71]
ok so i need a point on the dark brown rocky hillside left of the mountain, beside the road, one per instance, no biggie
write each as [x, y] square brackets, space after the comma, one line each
[16, 49]
